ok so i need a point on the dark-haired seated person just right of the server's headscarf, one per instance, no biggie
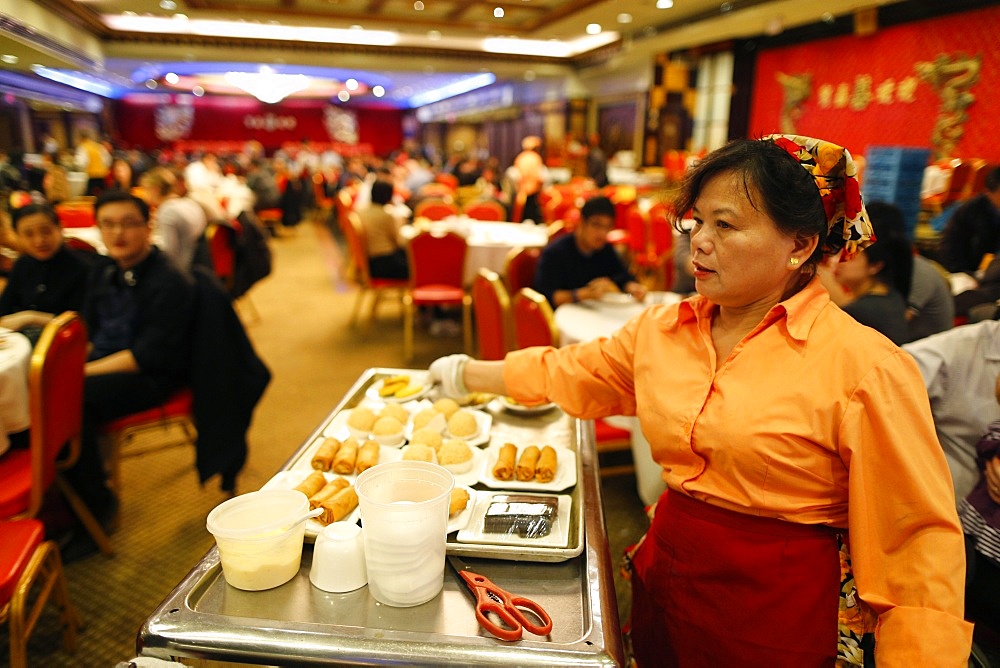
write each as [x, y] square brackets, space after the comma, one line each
[876, 282]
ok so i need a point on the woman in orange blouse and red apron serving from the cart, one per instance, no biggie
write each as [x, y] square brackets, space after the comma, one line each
[785, 430]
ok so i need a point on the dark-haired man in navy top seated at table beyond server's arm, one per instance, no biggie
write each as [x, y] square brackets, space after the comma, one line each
[583, 265]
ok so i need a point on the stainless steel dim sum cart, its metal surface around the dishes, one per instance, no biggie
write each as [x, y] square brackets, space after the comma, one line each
[297, 624]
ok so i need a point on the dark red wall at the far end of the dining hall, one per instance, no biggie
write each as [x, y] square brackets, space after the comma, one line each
[236, 119]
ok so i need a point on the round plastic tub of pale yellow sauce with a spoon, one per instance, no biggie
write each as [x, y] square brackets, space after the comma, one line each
[258, 547]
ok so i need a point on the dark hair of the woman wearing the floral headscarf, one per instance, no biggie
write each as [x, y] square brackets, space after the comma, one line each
[775, 183]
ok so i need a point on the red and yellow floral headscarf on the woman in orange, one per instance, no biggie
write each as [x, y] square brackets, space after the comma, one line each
[836, 176]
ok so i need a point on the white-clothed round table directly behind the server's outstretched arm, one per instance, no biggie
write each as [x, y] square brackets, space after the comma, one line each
[592, 319]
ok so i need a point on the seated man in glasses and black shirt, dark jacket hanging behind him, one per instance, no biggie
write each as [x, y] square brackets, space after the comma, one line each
[139, 308]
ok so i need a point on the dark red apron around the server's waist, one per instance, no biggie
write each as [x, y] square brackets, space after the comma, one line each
[712, 587]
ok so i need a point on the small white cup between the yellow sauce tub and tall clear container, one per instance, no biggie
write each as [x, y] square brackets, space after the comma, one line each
[339, 559]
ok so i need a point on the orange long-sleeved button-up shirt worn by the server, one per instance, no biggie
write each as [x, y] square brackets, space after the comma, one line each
[813, 418]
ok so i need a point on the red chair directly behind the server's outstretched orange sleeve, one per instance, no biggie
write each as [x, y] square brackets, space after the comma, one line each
[534, 325]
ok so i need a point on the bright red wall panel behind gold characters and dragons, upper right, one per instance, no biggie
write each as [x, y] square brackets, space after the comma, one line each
[890, 55]
